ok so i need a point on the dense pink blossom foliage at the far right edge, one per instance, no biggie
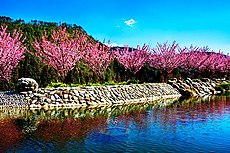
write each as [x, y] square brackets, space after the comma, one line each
[201, 61]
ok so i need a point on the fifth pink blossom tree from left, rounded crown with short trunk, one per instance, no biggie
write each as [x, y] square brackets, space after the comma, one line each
[165, 58]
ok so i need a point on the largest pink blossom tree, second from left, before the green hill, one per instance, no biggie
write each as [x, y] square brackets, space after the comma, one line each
[60, 51]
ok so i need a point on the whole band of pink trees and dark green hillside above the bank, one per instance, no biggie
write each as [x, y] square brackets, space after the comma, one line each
[66, 53]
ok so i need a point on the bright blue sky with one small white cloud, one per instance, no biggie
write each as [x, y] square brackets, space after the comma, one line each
[133, 22]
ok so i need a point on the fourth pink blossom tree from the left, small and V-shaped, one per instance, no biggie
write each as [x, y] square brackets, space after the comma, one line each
[132, 59]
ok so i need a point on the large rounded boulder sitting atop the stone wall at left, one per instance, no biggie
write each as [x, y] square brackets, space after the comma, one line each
[26, 84]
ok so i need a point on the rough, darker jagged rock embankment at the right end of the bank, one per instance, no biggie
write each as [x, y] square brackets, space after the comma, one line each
[197, 87]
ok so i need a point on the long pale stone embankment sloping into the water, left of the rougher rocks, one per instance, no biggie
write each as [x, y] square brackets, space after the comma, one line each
[98, 95]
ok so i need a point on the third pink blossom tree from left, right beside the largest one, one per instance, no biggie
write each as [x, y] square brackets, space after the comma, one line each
[97, 57]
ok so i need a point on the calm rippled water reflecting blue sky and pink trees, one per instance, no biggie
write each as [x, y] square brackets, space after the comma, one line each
[194, 125]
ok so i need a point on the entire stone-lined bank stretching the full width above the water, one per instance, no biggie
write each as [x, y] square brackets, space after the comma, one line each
[85, 96]
